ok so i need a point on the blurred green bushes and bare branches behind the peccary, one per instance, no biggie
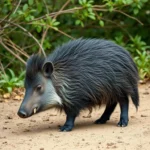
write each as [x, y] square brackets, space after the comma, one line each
[38, 26]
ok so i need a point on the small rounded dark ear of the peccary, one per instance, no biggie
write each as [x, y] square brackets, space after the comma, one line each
[47, 69]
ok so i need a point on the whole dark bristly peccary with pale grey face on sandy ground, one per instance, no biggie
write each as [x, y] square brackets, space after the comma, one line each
[81, 74]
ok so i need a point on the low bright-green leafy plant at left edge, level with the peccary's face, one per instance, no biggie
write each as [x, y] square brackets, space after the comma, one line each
[10, 80]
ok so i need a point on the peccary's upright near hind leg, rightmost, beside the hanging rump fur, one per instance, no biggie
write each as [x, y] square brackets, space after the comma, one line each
[124, 106]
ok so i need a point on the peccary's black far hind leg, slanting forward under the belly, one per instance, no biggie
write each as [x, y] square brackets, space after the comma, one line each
[107, 113]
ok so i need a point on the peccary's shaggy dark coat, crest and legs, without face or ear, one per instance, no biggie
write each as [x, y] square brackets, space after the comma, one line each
[90, 72]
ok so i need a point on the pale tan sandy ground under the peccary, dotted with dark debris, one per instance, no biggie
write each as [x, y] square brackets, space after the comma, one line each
[40, 132]
